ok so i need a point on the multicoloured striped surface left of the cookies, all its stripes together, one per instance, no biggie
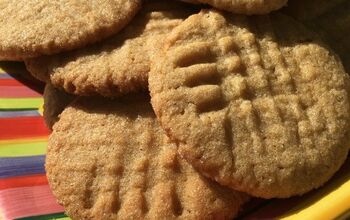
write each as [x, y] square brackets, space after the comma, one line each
[24, 191]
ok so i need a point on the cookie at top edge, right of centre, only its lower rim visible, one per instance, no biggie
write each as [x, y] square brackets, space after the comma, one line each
[247, 7]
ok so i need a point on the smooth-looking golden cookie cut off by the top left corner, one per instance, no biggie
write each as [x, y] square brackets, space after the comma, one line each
[29, 28]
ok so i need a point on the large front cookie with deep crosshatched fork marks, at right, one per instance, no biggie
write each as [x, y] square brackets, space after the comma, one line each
[256, 103]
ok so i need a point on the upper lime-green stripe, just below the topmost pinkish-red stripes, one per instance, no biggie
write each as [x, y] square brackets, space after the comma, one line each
[20, 103]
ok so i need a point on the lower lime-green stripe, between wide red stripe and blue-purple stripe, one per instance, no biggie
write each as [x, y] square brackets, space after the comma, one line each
[23, 149]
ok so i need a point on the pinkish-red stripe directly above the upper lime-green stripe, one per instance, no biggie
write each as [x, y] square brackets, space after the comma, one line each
[17, 92]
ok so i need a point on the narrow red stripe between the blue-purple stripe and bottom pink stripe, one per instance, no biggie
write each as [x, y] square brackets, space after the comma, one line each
[23, 181]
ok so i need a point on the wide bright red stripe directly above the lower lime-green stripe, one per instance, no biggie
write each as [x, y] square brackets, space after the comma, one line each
[22, 127]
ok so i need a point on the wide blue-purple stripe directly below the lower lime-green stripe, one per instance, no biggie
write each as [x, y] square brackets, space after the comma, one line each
[21, 166]
